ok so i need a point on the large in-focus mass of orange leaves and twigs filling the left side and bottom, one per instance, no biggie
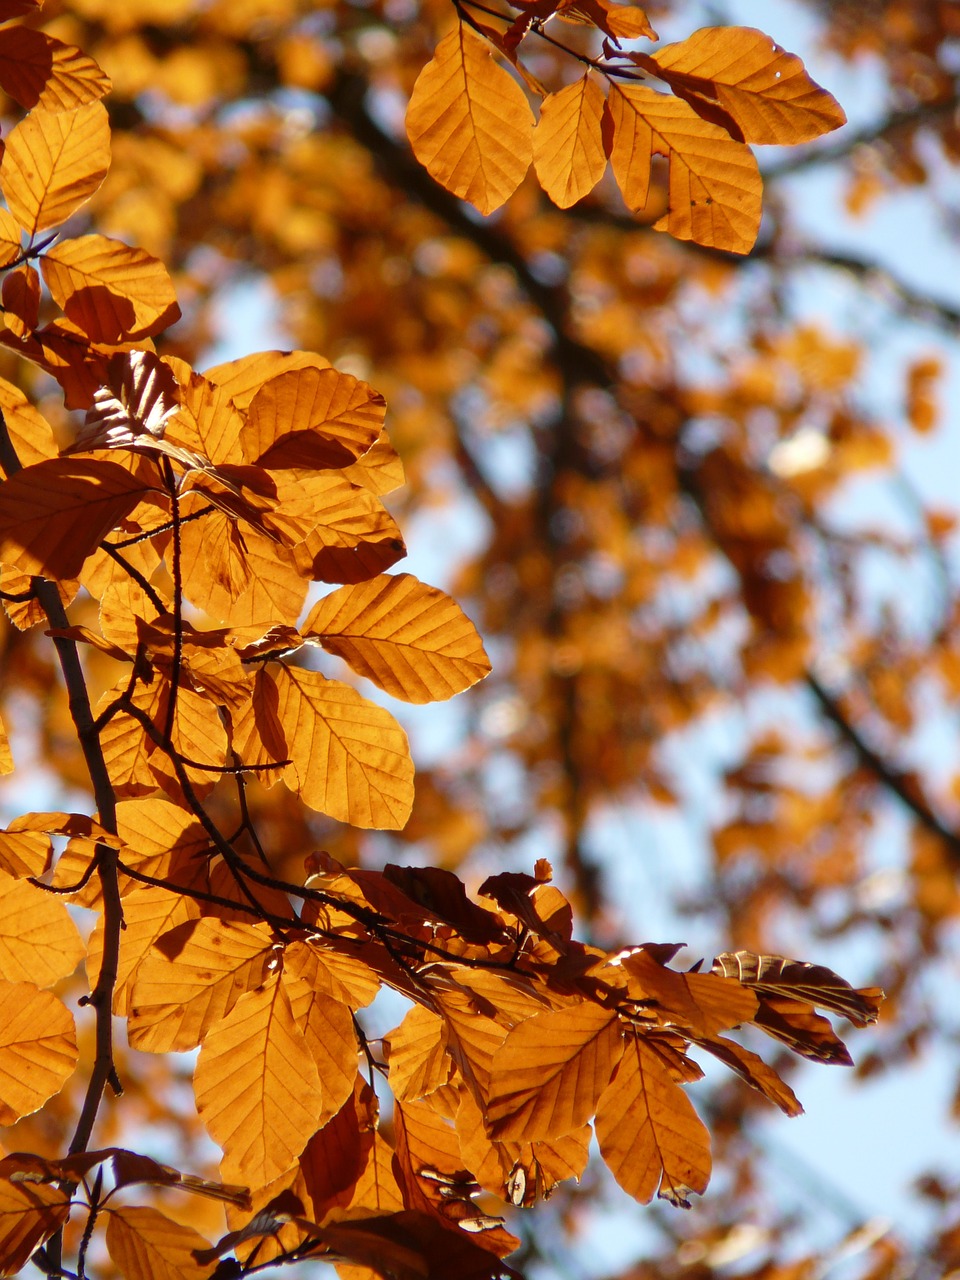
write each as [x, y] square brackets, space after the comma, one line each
[186, 520]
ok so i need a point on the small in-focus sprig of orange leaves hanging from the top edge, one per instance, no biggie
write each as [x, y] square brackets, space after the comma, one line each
[472, 127]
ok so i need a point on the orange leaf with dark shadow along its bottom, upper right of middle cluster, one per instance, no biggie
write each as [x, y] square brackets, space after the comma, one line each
[313, 418]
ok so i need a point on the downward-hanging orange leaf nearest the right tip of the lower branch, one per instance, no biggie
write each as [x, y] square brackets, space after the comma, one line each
[648, 1131]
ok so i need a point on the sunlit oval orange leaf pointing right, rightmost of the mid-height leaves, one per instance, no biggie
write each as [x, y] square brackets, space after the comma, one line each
[410, 639]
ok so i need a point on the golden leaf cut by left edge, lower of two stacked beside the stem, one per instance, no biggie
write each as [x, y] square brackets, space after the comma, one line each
[38, 1049]
